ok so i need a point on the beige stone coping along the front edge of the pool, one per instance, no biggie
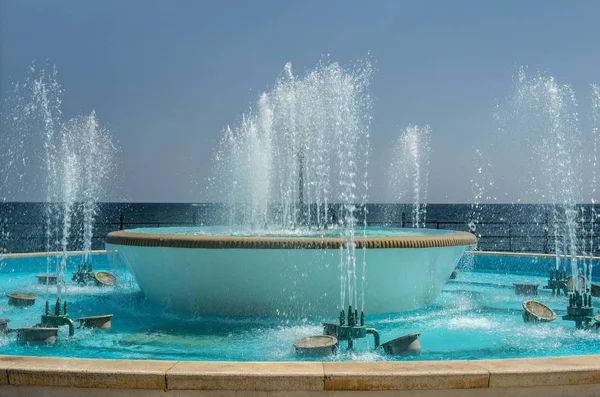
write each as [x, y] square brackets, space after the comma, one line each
[299, 376]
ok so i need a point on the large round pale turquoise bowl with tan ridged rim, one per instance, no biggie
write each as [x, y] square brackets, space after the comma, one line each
[194, 270]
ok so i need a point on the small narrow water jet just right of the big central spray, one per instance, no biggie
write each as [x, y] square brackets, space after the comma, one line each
[409, 170]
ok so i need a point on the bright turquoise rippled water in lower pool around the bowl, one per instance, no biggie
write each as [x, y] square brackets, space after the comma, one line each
[476, 317]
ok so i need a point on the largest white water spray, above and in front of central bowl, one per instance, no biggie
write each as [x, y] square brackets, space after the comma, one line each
[278, 163]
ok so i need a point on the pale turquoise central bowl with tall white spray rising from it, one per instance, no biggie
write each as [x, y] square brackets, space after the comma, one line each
[294, 177]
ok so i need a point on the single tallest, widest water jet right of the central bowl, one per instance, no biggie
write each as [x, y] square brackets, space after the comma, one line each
[547, 113]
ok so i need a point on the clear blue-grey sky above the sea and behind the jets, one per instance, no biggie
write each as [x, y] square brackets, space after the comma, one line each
[166, 76]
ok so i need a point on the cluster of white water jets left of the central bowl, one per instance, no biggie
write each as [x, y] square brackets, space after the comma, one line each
[77, 162]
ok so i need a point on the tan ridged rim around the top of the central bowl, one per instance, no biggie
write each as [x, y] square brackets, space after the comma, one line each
[223, 242]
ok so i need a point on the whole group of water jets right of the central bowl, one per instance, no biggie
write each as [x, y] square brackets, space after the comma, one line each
[542, 118]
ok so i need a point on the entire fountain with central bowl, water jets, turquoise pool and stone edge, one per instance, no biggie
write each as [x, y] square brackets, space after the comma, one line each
[297, 226]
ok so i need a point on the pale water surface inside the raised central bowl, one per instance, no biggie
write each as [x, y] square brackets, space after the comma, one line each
[275, 232]
